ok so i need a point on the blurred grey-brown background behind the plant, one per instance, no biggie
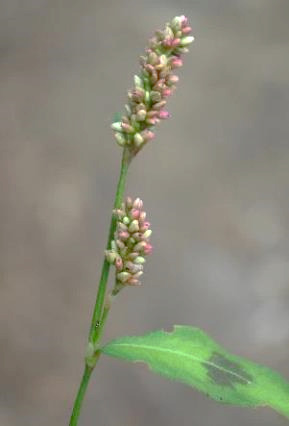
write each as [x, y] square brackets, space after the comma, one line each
[215, 182]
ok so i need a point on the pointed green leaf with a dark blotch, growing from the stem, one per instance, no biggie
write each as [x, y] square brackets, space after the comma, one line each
[189, 356]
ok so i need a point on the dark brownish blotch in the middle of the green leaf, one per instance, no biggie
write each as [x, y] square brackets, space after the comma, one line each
[224, 372]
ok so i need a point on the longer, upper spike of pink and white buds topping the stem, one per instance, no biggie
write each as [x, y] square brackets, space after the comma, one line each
[147, 100]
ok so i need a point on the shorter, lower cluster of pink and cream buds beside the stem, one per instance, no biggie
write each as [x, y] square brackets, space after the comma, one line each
[131, 243]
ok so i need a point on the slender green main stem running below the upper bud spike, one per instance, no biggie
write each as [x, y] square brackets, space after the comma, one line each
[100, 311]
